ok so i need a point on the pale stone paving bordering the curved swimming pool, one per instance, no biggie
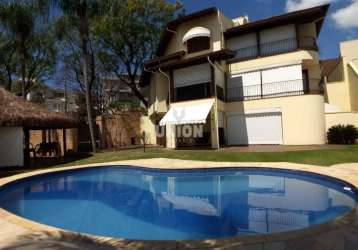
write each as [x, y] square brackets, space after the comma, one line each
[347, 173]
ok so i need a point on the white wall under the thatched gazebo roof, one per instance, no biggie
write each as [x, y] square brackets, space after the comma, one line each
[11, 146]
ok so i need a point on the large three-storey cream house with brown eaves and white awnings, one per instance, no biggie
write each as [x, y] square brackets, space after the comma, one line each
[247, 82]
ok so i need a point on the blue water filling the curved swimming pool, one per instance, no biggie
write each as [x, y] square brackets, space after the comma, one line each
[137, 203]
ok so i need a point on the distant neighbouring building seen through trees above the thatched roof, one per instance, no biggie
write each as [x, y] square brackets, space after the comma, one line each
[53, 99]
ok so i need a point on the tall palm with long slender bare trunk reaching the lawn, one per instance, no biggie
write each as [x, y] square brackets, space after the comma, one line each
[80, 13]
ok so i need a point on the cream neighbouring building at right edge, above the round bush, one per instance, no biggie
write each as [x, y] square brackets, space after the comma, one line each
[341, 86]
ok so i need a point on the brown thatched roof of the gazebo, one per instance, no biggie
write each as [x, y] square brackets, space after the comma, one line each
[17, 112]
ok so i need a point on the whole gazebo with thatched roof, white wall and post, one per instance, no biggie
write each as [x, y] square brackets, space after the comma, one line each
[18, 117]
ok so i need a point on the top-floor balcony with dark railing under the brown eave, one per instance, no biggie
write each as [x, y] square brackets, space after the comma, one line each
[275, 48]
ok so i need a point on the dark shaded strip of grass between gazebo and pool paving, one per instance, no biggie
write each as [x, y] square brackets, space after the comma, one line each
[42, 163]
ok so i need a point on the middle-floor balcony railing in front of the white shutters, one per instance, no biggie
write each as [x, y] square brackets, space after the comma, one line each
[267, 90]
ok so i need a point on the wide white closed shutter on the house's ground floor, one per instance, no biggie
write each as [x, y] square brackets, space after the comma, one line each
[256, 128]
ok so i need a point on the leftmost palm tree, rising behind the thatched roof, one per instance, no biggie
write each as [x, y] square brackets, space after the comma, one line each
[19, 18]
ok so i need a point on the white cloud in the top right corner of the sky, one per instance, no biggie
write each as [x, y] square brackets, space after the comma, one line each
[347, 17]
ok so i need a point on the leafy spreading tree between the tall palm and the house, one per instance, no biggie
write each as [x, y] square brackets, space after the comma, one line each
[129, 34]
